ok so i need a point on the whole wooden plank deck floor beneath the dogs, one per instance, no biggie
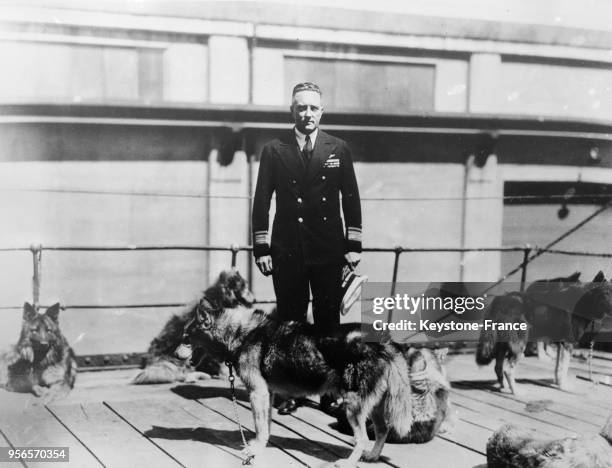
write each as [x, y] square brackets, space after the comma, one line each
[203, 433]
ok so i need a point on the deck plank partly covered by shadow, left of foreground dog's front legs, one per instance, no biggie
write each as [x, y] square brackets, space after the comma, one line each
[174, 431]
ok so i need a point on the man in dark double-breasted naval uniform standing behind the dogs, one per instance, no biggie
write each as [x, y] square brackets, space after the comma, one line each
[308, 170]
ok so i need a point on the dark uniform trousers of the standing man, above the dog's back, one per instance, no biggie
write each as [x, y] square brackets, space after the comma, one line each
[292, 283]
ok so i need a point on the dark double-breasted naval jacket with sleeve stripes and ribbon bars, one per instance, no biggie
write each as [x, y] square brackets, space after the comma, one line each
[308, 223]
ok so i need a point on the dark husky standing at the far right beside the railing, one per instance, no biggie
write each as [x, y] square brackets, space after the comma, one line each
[556, 311]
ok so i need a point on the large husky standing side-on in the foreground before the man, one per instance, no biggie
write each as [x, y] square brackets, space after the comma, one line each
[294, 359]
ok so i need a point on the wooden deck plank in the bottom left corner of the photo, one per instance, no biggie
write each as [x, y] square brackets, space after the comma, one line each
[35, 426]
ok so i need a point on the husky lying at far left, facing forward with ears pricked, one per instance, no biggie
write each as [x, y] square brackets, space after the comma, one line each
[41, 362]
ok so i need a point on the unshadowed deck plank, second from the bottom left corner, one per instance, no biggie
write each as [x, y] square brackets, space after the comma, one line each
[114, 442]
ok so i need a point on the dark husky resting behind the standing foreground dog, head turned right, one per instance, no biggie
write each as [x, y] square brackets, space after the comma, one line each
[161, 365]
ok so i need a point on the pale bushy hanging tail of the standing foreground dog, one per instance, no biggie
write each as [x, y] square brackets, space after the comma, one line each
[398, 405]
